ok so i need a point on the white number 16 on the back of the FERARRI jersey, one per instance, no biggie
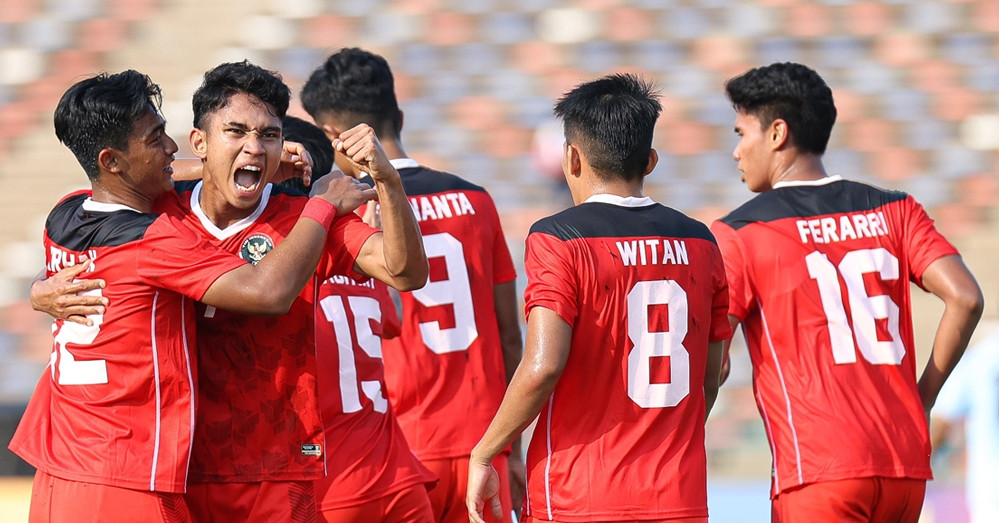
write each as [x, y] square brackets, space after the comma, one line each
[865, 310]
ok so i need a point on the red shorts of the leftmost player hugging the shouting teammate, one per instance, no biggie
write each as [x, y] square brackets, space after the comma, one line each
[56, 500]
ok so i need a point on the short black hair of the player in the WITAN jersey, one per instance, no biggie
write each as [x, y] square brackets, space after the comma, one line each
[612, 119]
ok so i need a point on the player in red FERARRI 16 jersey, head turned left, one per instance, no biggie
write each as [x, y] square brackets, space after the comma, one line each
[818, 270]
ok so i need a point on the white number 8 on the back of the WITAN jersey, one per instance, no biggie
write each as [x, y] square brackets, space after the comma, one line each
[648, 345]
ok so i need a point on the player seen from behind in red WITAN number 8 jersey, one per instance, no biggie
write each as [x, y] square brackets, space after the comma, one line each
[626, 304]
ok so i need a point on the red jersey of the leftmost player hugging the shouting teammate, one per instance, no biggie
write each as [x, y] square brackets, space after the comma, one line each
[116, 406]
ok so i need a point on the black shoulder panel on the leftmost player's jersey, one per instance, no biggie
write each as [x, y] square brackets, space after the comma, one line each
[73, 228]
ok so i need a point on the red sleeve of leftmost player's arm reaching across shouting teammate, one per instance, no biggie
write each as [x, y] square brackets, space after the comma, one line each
[178, 259]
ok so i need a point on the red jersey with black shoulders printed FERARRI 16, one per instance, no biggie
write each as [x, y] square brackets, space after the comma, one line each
[819, 277]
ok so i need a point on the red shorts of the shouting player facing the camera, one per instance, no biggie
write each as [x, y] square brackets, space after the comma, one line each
[265, 501]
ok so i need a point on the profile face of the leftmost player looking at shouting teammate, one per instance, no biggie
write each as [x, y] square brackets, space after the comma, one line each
[150, 155]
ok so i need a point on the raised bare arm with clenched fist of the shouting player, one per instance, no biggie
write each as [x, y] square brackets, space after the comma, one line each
[396, 255]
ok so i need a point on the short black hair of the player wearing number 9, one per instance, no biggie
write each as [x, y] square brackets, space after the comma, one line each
[357, 86]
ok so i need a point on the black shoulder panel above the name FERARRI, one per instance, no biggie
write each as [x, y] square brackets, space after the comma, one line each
[813, 200]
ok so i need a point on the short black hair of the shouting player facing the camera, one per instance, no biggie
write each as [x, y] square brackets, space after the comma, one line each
[226, 80]
